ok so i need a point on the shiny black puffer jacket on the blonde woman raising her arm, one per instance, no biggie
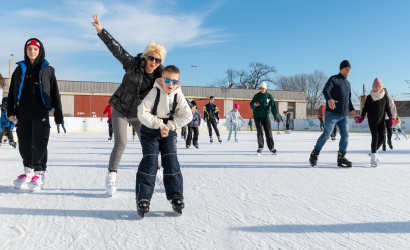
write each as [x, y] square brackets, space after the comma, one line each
[128, 96]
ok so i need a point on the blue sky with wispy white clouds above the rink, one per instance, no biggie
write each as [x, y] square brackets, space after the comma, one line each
[294, 36]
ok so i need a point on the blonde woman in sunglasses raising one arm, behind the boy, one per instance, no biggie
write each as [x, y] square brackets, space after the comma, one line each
[139, 78]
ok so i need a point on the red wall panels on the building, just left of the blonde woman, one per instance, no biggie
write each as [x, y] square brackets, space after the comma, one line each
[82, 105]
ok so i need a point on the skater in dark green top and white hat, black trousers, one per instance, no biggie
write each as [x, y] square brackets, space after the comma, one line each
[262, 104]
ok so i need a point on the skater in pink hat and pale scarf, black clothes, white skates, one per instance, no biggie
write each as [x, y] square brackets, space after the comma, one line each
[376, 106]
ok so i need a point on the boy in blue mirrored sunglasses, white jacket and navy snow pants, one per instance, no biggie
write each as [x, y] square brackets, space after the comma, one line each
[163, 111]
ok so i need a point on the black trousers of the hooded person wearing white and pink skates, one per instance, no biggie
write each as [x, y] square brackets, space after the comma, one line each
[33, 140]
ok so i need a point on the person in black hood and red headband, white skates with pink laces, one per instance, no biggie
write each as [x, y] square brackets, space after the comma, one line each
[32, 95]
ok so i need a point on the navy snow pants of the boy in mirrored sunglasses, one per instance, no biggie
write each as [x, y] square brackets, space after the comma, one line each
[152, 143]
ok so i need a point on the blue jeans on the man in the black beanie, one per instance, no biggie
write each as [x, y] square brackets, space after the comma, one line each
[331, 120]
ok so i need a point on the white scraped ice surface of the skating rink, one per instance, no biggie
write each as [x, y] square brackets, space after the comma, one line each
[234, 199]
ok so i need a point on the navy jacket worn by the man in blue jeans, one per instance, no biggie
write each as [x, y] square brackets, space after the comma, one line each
[338, 89]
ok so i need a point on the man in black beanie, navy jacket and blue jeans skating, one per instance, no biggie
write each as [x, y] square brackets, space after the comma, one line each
[337, 93]
